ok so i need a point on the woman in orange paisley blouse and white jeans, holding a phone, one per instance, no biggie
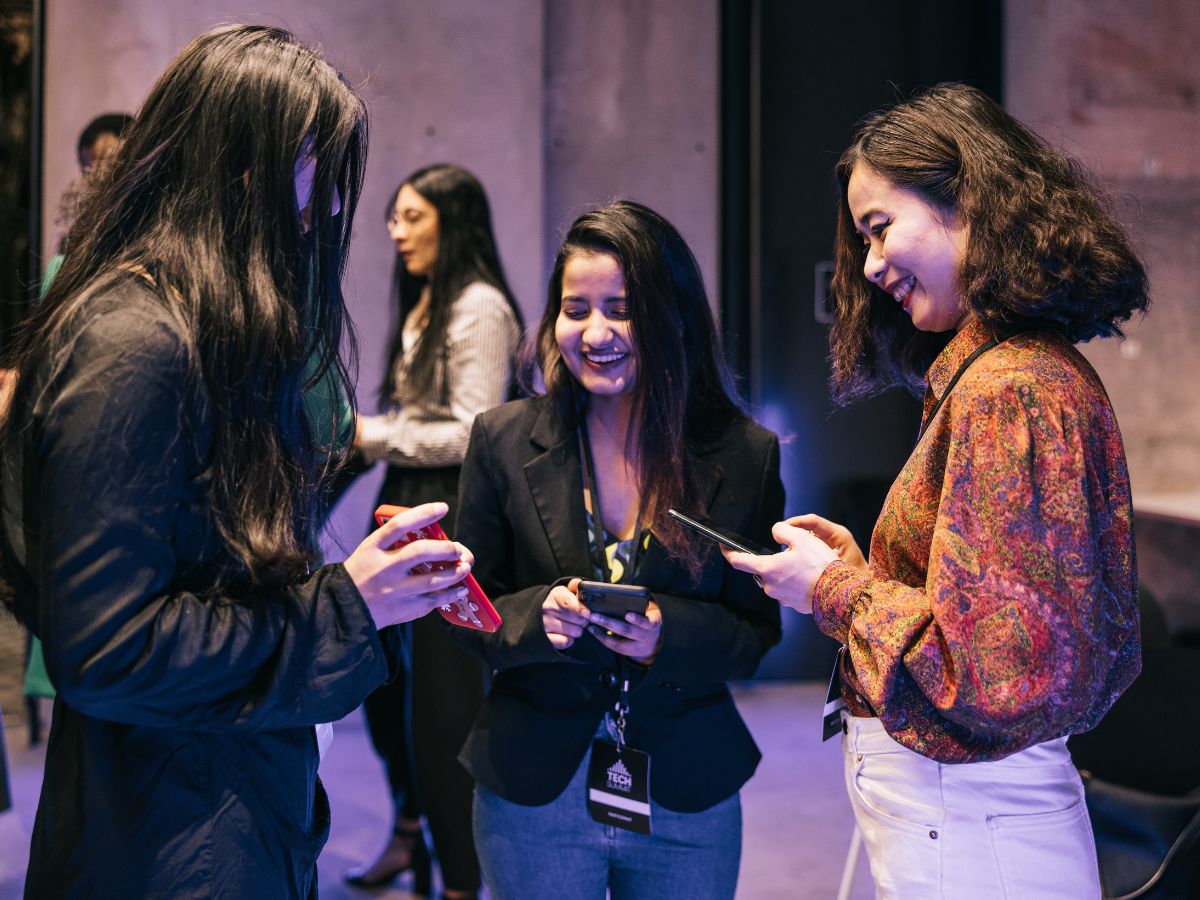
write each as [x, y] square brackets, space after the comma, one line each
[998, 614]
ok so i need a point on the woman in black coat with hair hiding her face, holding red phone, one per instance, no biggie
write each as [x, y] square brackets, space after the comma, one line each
[163, 476]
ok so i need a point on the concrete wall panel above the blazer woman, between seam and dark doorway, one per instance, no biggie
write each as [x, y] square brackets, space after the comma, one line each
[632, 112]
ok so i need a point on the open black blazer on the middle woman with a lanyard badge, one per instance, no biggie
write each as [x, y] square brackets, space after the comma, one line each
[521, 513]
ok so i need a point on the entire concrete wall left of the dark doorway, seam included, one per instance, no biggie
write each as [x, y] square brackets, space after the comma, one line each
[556, 105]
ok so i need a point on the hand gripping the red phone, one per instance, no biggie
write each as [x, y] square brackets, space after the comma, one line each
[385, 575]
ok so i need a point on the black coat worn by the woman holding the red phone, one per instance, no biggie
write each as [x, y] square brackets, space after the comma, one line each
[182, 759]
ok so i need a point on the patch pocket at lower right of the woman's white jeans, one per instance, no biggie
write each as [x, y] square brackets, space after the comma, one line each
[1047, 856]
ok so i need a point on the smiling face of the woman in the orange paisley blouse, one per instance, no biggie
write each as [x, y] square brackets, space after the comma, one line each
[914, 250]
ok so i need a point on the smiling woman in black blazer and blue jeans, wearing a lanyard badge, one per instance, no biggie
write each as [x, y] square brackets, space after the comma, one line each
[638, 417]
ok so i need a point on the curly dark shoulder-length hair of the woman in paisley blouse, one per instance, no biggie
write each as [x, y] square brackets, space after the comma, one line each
[1045, 250]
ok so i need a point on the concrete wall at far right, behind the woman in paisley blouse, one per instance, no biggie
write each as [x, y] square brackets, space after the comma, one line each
[1117, 85]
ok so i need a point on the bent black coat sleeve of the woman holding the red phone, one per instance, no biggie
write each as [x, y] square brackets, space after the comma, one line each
[112, 479]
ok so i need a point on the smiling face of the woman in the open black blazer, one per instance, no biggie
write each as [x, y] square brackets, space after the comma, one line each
[593, 329]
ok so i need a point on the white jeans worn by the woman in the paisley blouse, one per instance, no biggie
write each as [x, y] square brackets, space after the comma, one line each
[1013, 830]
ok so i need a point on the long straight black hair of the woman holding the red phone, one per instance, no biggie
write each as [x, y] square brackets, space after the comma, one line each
[201, 202]
